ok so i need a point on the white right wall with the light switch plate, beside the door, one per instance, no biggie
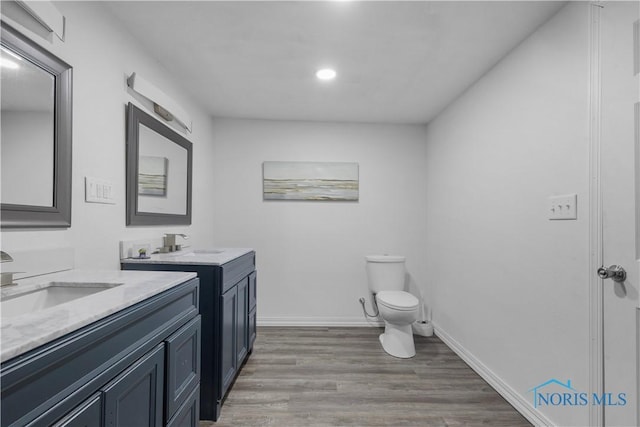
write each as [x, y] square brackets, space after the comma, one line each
[509, 287]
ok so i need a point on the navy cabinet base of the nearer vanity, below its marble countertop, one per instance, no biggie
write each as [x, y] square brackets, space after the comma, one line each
[138, 367]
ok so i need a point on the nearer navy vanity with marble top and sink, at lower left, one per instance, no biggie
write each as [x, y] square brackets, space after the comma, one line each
[101, 349]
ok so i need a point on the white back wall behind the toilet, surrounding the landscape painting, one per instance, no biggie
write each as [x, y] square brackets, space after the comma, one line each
[310, 255]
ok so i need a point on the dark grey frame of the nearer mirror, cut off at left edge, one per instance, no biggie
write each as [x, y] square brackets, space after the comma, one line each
[58, 215]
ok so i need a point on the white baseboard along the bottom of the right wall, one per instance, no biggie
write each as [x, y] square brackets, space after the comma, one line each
[521, 404]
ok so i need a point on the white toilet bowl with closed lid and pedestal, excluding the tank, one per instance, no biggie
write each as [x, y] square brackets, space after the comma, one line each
[399, 310]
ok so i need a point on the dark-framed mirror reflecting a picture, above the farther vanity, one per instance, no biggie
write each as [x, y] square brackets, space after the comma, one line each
[159, 171]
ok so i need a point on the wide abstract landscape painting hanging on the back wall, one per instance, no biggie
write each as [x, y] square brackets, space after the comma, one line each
[310, 181]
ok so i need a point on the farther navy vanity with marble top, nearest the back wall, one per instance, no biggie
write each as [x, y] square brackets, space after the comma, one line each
[228, 310]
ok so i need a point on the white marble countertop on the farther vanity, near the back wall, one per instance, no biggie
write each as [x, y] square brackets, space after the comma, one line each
[214, 256]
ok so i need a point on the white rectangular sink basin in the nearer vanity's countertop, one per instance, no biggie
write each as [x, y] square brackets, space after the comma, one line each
[55, 293]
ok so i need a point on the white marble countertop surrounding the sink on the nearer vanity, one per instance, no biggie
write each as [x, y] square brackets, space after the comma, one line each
[23, 332]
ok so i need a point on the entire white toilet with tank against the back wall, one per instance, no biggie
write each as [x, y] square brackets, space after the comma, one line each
[398, 309]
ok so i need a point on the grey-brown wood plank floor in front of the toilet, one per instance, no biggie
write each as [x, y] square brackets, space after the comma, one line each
[342, 377]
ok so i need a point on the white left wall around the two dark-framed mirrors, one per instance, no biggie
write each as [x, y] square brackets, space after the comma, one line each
[102, 55]
